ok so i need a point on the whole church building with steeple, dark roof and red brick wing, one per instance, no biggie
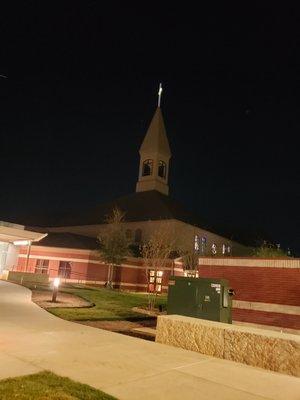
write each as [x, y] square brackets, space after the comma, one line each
[69, 249]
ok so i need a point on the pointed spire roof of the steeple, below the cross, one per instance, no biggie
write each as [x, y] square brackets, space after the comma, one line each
[156, 138]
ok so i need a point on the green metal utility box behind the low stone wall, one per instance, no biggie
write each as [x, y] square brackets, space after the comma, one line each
[200, 298]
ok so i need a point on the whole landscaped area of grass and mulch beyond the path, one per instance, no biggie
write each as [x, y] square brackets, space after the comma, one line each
[113, 310]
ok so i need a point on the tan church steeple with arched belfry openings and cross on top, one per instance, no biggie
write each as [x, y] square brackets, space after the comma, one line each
[155, 156]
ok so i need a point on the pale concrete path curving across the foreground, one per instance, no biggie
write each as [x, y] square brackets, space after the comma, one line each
[32, 340]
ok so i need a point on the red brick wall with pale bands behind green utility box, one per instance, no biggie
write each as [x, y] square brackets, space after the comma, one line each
[267, 291]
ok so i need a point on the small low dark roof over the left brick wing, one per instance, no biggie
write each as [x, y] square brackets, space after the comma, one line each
[68, 240]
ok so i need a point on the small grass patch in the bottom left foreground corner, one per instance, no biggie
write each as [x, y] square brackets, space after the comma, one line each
[48, 386]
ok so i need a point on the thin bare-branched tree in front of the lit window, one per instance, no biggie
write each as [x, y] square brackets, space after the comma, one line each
[156, 253]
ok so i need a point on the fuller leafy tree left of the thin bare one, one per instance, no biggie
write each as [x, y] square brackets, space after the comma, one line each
[114, 244]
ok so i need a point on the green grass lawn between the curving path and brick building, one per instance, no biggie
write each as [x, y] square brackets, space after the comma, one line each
[109, 304]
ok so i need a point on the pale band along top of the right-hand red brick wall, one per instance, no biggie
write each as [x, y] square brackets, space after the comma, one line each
[250, 262]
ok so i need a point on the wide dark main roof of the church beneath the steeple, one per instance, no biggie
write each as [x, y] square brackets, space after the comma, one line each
[140, 206]
